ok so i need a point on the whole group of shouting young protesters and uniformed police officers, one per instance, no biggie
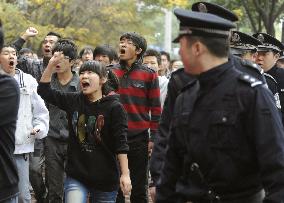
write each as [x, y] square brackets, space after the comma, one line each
[99, 124]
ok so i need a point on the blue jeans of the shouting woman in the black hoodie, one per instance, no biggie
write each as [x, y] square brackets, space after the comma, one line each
[76, 192]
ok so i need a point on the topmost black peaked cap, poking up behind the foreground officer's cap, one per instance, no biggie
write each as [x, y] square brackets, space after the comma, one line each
[215, 9]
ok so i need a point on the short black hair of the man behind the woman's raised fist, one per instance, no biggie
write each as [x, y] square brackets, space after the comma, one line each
[67, 47]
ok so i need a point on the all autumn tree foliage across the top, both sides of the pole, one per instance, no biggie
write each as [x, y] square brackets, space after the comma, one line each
[93, 22]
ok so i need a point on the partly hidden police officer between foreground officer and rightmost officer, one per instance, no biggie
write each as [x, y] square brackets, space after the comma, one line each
[245, 47]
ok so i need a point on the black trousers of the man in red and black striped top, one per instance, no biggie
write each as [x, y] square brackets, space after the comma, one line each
[138, 167]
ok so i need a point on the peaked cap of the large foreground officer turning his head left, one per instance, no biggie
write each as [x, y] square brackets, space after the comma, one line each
[202, 24]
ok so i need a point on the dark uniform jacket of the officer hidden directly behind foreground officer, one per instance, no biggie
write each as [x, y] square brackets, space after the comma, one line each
[177, 81]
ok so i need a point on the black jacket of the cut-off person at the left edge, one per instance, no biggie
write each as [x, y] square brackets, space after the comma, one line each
[9, 105]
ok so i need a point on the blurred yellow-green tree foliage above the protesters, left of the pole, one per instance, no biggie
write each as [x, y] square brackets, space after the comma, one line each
[88, 22]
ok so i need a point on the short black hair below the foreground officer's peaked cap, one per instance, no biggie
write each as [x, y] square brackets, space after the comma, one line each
[217, 46]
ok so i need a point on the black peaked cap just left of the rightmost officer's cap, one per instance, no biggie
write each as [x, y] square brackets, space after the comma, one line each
[240, 42]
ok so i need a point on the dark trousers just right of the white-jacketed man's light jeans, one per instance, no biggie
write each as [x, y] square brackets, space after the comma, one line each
[36, 173]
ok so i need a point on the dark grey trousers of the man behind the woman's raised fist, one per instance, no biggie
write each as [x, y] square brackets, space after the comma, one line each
[55, 160]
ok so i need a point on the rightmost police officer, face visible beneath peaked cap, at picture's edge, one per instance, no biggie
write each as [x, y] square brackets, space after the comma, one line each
[268, 54]
